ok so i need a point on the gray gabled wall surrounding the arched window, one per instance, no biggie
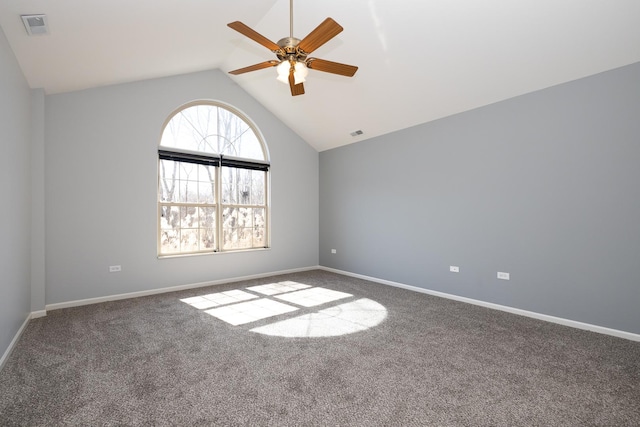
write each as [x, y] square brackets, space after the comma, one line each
[101, 178]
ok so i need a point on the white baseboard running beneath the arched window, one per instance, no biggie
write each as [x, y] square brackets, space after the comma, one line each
[128, 295]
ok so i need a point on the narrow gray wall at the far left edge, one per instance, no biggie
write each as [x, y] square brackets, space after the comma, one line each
[15, 185]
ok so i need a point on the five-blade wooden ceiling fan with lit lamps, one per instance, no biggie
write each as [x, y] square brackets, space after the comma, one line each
[293, 62]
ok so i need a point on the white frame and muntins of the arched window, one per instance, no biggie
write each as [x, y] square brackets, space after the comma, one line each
[219, 162]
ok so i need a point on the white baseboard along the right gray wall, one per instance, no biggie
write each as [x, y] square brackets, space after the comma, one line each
[559, 320]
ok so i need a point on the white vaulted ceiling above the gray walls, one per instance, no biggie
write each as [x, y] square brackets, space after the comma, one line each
[419, 60]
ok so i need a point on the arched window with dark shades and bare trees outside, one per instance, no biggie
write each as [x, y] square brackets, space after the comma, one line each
[213, 182]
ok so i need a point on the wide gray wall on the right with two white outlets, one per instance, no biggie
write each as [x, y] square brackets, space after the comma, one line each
[545, 186]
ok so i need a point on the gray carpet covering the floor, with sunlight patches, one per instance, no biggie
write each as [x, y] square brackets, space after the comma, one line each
[159, 361]
